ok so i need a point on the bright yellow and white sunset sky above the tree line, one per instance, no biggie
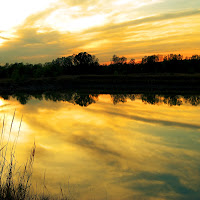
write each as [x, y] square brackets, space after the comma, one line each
[33, 31]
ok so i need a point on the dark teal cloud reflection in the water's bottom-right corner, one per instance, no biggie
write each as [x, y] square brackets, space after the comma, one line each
[158, 185]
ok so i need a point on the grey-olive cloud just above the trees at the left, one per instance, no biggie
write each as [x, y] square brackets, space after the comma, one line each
[32, 45]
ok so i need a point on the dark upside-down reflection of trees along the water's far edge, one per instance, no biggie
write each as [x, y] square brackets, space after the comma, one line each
[85, 100]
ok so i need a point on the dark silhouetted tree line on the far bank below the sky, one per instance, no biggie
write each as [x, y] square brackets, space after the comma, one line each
[84, 63]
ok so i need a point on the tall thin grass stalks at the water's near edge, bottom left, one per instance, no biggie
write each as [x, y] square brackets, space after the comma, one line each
[15, 184]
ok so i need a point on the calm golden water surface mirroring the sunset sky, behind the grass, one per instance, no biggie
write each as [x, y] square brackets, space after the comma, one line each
[110, 147]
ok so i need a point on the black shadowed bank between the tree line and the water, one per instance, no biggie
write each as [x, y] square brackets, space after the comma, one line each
[136, 83]
